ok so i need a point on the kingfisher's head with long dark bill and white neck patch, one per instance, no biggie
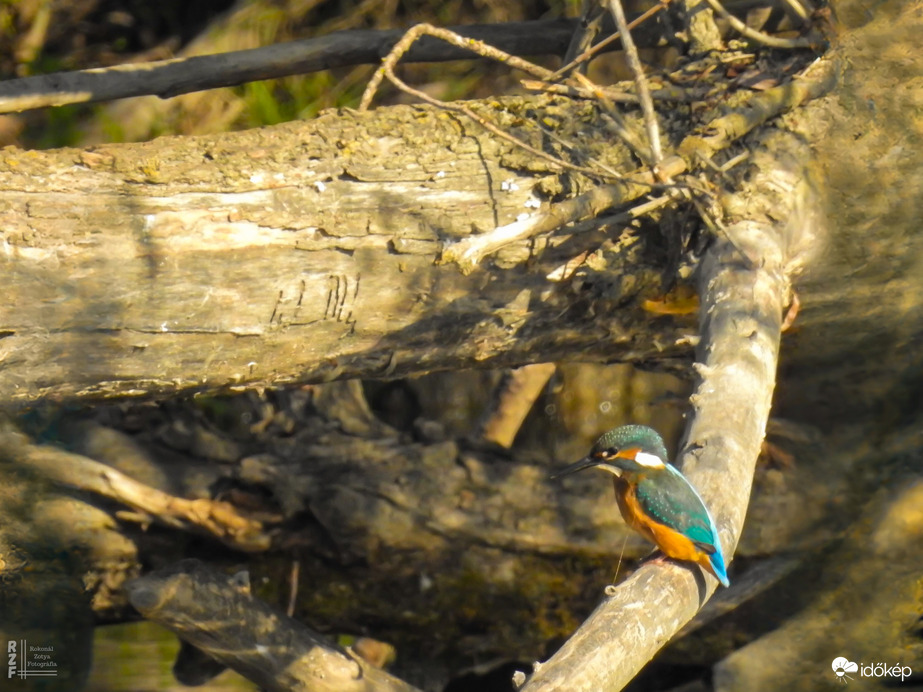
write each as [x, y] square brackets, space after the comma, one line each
[627, 449]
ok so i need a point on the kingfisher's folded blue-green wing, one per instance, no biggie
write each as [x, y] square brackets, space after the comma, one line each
[671, 500]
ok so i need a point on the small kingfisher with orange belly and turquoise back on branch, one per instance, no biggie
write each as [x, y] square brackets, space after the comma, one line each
[655, 499]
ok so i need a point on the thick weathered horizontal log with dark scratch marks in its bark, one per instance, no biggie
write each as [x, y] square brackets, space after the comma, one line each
[303, 253]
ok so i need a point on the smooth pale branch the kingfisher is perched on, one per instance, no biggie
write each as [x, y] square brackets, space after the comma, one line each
[741, 316]
